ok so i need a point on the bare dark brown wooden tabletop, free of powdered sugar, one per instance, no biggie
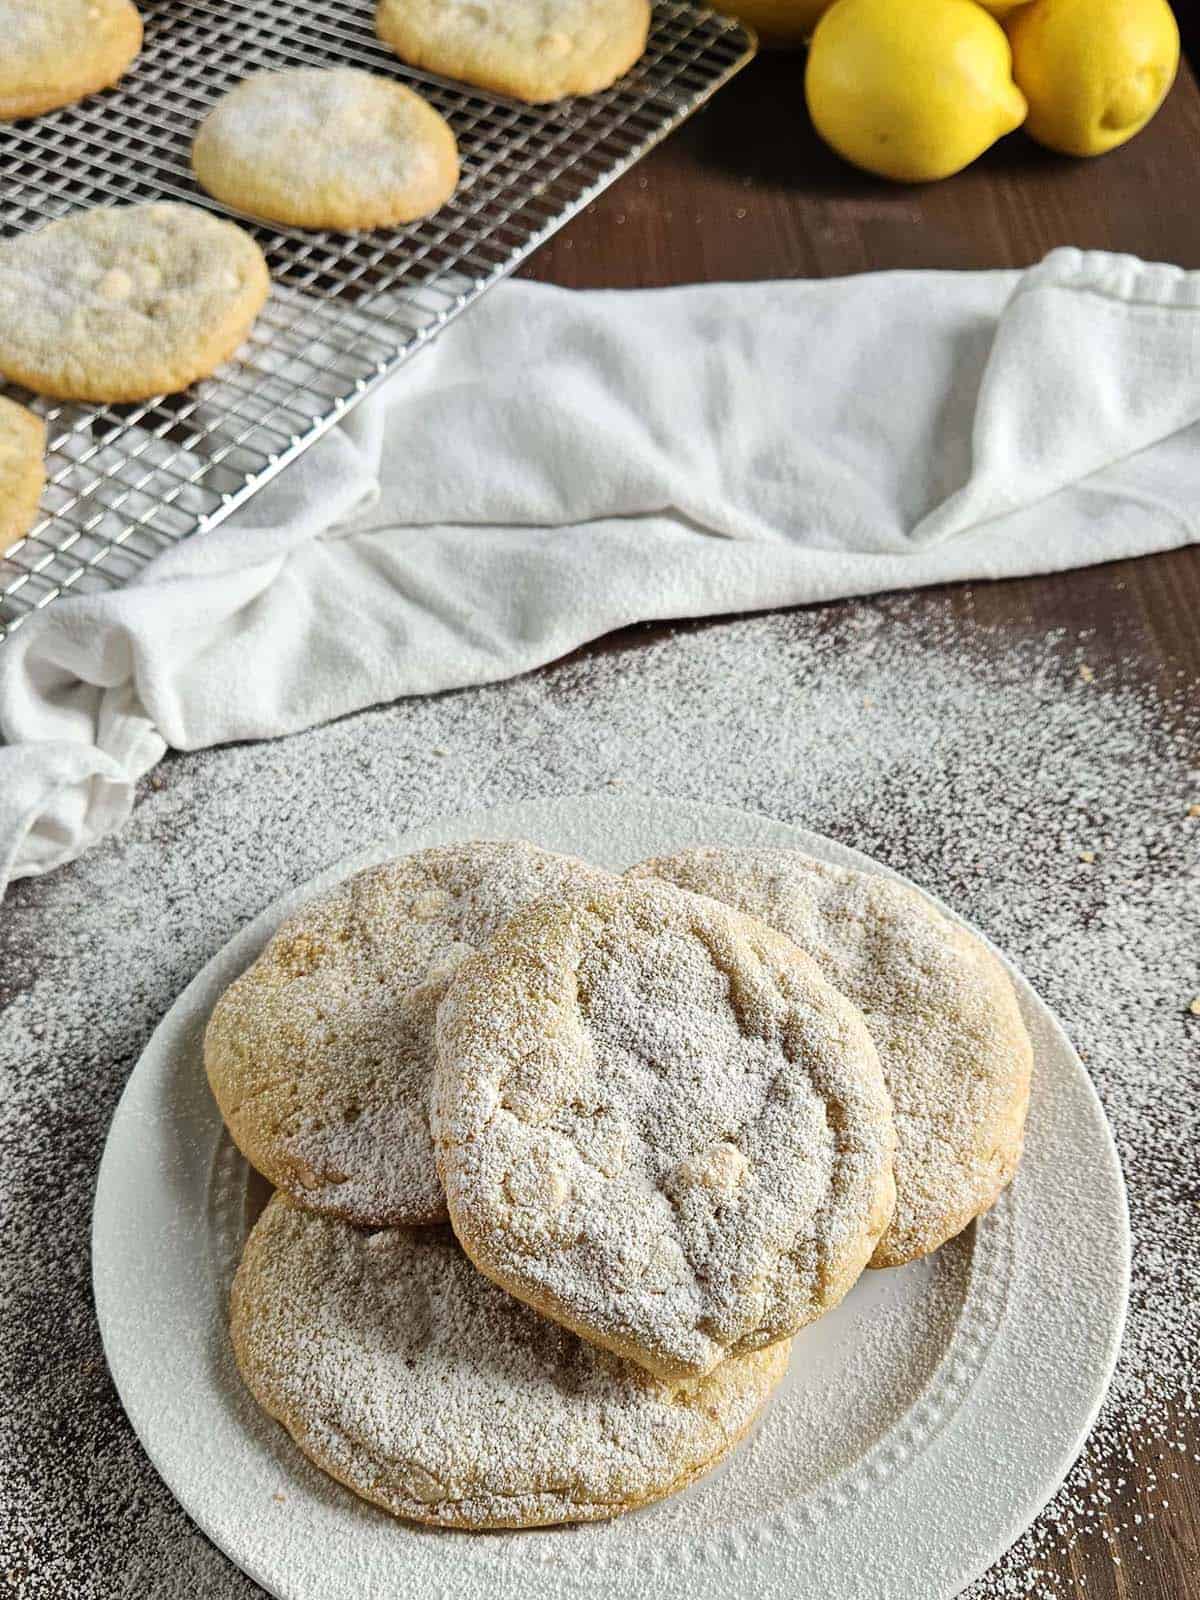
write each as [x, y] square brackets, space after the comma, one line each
[748, 191]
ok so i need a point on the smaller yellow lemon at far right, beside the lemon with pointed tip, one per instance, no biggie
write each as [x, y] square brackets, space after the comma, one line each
[1094, 71]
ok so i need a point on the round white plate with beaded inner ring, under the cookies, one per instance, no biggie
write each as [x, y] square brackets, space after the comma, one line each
[921, 1428]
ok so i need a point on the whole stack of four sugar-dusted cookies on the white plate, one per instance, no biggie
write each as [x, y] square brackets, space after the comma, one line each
[564, 1161]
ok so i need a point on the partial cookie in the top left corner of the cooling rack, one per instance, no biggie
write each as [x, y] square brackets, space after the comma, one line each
[57, 52]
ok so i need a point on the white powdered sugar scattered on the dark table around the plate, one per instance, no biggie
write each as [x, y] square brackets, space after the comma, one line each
[982, 766]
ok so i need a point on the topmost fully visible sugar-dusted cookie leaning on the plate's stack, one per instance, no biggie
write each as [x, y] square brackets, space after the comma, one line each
[660, 1126]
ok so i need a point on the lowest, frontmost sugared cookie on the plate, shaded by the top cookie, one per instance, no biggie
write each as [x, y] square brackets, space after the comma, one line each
[404, 1374]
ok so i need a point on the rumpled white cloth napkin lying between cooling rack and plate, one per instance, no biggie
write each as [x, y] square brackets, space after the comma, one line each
[559, 465]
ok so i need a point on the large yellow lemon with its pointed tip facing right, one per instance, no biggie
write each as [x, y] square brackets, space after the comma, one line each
[911, 92]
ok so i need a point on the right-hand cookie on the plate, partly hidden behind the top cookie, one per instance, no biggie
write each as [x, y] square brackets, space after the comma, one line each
[938, 1004]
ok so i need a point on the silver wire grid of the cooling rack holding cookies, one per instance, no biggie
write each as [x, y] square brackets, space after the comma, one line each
[346, 310]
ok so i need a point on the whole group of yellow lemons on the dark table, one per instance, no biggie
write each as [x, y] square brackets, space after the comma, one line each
[919, 89]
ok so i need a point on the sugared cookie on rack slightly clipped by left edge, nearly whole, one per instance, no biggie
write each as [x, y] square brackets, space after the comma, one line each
[126, 303]
